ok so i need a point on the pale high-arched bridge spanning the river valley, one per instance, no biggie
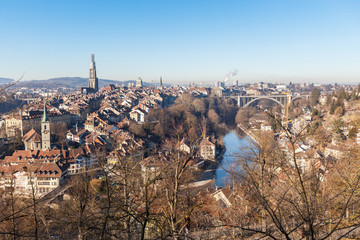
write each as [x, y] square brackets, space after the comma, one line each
[246, 100]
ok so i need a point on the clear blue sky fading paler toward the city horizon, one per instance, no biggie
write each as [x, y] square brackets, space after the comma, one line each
[182, 40]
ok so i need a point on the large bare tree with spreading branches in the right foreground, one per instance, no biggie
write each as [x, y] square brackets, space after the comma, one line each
[294, 195]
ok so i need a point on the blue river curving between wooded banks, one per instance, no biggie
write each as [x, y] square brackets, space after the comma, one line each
[235, 146]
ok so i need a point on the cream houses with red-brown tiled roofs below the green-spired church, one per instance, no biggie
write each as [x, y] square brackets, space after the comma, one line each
[39, 172]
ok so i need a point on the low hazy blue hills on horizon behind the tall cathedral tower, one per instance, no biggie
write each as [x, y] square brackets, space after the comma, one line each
[68, 82]
